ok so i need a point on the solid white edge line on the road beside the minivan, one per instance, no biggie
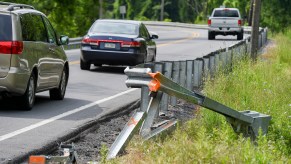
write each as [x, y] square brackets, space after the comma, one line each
[44, 122]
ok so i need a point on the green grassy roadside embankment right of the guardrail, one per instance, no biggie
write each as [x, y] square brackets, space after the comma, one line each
[264, 87]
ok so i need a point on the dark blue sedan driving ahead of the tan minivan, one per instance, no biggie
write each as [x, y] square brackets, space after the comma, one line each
[117, 42]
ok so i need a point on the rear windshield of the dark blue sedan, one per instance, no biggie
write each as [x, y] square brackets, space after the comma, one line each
[115, 28]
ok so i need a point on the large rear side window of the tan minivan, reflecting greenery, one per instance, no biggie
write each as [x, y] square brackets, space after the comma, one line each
[33, 28]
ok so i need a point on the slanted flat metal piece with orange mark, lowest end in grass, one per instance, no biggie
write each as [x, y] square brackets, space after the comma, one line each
[126, 134]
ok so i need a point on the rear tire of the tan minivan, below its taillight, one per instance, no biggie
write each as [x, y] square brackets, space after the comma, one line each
[27, 100]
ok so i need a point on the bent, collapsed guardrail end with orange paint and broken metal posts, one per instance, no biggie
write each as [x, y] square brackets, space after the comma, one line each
[246, 122]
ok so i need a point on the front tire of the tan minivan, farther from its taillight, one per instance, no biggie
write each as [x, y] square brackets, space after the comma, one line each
[59, 93]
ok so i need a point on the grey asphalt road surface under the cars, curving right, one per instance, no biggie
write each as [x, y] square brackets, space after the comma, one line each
[90, 94]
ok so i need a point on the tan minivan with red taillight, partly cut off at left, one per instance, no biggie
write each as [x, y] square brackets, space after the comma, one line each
[32, 58]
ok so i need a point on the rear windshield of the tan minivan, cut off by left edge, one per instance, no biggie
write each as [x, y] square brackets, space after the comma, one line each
[5, 28]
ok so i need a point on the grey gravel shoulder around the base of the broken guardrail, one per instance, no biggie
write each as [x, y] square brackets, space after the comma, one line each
[88, 144]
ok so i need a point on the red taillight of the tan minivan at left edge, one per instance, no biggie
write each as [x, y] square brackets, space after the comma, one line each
[11, 47]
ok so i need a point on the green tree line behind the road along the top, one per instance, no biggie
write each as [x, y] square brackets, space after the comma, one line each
[74, 17]
